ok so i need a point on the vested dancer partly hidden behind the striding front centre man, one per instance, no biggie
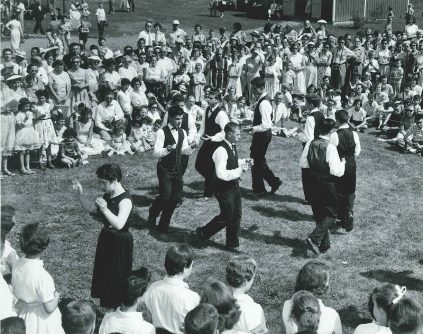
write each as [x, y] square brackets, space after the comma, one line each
[211, 132]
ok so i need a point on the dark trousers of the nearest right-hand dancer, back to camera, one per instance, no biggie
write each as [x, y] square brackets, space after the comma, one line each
[324, 204]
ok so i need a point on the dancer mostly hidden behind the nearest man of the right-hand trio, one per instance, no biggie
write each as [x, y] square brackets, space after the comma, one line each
[311, 130]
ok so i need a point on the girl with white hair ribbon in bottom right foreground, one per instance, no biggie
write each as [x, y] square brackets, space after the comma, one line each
[380, 307]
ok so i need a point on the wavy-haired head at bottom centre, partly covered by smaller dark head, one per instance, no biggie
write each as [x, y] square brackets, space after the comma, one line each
[220, 296]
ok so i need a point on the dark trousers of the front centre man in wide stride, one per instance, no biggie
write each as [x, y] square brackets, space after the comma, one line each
[229, 217]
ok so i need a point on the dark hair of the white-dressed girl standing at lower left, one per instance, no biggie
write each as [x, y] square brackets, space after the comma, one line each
[33, 240]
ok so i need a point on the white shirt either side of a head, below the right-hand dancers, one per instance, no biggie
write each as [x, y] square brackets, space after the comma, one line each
[329, 323]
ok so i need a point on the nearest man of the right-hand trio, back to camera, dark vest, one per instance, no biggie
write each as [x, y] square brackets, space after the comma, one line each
[322, 159]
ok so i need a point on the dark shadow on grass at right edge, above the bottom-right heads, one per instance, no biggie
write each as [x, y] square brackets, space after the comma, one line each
[393, 277]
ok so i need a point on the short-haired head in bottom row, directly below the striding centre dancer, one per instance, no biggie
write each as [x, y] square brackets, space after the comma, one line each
[240, 269]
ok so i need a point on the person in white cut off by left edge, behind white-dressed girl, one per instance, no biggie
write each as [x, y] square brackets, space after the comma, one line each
[8, 253]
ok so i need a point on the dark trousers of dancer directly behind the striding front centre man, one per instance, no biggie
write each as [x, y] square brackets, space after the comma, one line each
[205, 166]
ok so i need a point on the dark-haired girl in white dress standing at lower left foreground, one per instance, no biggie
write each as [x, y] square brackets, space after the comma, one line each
[34, 287]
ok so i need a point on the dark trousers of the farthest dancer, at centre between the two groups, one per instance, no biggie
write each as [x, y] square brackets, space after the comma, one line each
[260, 171]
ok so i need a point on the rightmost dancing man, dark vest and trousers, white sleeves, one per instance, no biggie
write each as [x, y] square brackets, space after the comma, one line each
[348, 144]
